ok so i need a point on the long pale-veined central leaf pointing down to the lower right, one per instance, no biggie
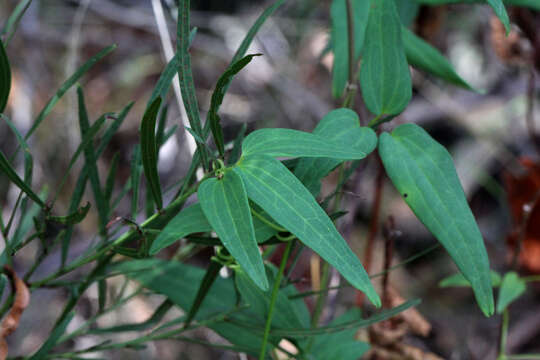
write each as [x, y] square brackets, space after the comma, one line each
[276, 190]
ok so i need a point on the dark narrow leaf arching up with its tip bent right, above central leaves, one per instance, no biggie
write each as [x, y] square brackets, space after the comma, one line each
[217, 98]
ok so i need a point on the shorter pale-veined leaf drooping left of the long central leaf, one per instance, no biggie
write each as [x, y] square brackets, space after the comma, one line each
[224, 202]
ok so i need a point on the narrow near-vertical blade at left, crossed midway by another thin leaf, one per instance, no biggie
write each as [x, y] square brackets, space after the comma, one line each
[91, 164]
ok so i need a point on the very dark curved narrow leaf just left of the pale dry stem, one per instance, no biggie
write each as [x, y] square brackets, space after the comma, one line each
[149, 151]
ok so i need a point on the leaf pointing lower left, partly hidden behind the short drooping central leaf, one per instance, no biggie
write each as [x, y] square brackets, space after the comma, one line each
[192, 220]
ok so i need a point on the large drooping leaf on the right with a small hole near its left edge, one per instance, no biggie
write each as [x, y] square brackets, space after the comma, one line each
[423, 172]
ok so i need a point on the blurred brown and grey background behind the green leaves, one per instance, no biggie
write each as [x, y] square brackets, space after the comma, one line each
[491, 136]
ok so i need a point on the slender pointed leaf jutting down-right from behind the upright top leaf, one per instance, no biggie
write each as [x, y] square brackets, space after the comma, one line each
[422, 55]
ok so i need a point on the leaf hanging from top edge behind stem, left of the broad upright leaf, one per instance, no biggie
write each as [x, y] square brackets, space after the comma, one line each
[340, 39]
